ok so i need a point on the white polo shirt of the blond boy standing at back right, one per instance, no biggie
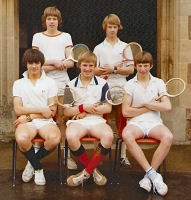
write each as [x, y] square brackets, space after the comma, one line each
[112, 54]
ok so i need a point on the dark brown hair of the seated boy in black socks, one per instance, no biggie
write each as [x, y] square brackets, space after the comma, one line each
[33, 56]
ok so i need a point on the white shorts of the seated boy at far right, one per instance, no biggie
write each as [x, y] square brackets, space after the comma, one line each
[145, 126]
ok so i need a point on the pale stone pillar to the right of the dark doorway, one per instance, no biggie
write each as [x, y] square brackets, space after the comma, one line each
[174, 50]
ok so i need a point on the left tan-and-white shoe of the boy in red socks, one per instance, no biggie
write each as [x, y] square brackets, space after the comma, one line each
[78, 179]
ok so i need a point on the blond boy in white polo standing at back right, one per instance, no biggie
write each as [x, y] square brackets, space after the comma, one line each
[109, 64]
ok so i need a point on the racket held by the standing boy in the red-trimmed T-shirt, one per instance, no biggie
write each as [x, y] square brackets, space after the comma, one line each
[76, 51]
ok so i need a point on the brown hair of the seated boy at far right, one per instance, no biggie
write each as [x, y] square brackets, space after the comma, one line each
[143, 57]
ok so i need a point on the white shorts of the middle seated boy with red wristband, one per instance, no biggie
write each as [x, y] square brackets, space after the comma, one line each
[88, 121]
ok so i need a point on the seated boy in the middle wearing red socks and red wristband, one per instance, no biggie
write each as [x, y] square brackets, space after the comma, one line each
[87, 119]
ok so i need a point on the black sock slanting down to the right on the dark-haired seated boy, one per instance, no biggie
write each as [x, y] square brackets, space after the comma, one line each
[31, 156]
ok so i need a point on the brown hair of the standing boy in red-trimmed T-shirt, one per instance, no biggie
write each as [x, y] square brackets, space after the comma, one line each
[51, 11]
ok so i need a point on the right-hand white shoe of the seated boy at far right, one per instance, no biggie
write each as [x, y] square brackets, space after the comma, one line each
[159, 186]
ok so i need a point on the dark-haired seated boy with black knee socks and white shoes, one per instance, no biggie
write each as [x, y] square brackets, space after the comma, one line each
[34, 96]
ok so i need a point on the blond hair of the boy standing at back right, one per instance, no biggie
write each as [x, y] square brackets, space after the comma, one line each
[111, 19]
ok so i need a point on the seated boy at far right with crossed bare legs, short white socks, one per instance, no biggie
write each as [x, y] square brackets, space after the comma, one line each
[144, 110]
